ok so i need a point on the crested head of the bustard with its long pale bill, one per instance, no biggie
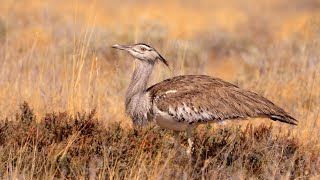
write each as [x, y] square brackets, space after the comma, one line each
[142, 52]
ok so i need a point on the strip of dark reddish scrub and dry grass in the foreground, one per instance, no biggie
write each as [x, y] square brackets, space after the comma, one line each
[62, 146]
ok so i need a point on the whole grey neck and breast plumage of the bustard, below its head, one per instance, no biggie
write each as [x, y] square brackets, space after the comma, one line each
[137, 100]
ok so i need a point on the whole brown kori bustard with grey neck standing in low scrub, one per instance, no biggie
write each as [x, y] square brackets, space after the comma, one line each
[183, 102]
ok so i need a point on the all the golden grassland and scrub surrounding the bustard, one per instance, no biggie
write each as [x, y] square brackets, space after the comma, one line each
[56, 56]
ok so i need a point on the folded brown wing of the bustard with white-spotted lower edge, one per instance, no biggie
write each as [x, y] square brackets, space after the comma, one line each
[199, 98]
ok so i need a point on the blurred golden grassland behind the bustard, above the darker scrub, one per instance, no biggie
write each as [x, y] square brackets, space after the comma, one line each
[56, 54]
